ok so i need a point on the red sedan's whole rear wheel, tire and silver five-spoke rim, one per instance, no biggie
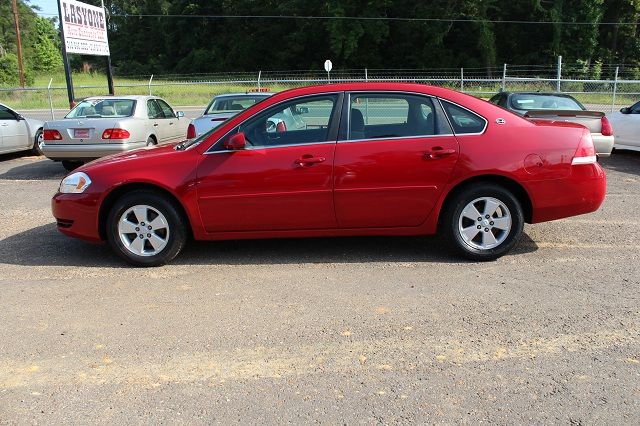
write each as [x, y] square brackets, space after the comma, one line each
[483, 222]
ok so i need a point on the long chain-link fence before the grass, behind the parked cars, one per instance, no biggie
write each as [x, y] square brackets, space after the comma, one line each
[194, 91]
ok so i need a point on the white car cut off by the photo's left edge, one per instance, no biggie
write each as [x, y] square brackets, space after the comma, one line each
[18, 133]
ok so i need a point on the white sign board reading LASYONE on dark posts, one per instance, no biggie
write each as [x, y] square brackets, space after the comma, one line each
[84, 27]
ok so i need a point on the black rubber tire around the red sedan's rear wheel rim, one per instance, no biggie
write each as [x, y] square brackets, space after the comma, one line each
[450, 225]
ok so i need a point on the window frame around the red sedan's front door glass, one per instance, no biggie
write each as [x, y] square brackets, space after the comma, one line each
[334, 125]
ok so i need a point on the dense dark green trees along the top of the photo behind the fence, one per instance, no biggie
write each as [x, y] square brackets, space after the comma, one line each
[189, 36]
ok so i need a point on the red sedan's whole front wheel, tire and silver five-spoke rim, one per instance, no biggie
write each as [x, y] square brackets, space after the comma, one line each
[146, 229]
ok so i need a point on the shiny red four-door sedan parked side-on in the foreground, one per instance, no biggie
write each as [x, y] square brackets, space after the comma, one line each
[340, 160]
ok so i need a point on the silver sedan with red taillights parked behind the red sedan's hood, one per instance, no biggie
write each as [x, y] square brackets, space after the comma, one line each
[100, 126]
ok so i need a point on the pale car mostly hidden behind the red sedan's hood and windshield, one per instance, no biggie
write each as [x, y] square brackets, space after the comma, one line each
[221, 108]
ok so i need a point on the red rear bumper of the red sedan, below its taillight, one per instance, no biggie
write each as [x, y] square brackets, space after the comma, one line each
[582, 192]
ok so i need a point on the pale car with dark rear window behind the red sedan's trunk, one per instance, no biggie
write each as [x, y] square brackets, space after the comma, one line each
[559, 107]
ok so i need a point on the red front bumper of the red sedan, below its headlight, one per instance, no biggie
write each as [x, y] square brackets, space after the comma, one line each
[77, 215]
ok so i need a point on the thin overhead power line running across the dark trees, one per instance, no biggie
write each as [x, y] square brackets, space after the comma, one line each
[364, 18]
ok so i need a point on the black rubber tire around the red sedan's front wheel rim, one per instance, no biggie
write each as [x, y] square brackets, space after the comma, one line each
[177, 229]
